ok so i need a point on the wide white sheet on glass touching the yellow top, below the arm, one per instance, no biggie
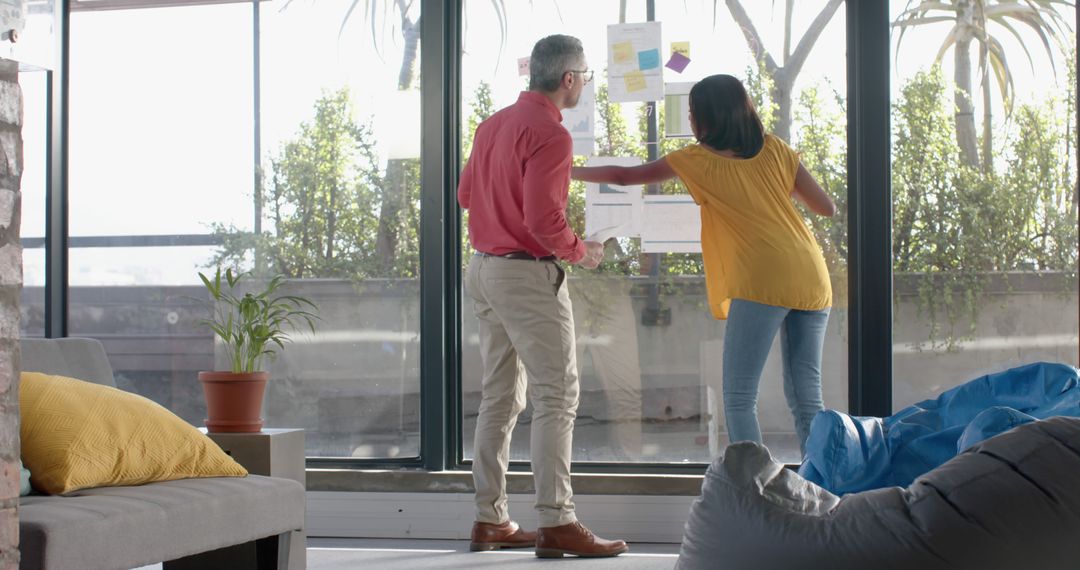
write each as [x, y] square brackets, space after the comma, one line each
[671, 225]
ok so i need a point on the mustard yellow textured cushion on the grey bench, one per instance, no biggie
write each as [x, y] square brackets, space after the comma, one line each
[78, 436]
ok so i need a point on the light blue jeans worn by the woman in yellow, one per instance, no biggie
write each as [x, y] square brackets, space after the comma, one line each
[747, 342]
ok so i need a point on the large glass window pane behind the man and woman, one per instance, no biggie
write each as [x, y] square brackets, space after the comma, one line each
[649, 351]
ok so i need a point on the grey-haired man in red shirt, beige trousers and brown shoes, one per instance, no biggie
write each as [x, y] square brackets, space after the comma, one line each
[516, 188]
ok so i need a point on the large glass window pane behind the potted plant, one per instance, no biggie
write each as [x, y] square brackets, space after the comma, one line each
[168, 180]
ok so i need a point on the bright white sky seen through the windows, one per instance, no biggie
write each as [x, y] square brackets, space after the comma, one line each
[161, 120]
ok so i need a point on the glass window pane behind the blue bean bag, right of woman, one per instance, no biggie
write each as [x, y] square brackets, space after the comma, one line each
[983, 178]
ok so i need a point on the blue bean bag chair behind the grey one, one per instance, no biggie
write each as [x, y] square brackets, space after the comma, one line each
[847, 454]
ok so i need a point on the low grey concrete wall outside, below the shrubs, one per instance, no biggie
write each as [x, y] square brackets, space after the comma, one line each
[356, 385]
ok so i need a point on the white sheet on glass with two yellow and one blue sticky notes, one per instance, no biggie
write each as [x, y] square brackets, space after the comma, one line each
[636, 72]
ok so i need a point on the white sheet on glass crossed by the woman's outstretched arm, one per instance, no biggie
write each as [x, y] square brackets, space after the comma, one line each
[613, 211]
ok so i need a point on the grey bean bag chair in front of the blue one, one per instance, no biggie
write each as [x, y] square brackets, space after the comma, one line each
[1009, 503]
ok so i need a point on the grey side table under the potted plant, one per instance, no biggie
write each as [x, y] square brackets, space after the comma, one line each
[273, 453]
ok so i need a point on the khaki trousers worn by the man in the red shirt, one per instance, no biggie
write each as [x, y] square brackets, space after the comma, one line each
[526, 331]
